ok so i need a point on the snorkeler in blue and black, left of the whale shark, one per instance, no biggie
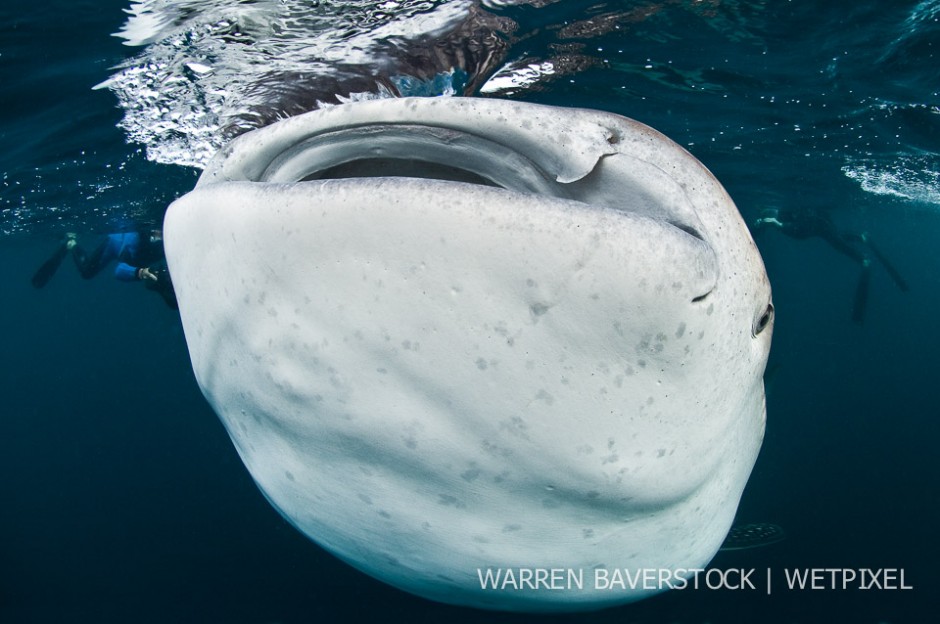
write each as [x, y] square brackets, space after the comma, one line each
[139, 255]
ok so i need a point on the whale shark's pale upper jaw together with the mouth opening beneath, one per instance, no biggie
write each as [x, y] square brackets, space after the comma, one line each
[596, 158]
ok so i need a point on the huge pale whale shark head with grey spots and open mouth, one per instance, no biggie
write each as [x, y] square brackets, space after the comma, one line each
[450, 336]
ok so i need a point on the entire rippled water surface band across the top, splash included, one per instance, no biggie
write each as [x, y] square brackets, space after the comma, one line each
[841, 90]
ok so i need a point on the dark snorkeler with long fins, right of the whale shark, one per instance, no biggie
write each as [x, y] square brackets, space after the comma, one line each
[859, 247]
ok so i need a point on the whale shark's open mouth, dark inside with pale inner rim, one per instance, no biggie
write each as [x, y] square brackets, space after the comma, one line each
[438, 152]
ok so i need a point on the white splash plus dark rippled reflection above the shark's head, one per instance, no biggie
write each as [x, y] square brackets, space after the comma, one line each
[212, 69]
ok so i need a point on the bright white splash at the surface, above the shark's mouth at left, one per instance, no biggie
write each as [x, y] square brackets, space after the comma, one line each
[208, 65]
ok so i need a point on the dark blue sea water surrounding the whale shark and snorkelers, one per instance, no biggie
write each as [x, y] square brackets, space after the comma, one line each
[124, 500]
